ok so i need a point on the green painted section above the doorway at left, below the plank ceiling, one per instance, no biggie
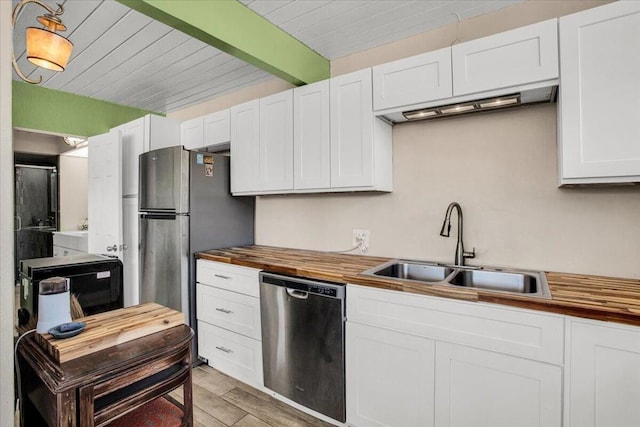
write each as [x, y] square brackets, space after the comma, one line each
[38, 108]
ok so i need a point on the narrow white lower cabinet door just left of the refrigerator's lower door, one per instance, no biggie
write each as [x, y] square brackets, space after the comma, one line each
[130, 251]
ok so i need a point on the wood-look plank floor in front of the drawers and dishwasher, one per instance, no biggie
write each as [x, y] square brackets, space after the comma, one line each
[221, 401]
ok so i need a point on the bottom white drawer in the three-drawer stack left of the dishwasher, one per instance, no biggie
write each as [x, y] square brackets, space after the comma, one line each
[231, 353]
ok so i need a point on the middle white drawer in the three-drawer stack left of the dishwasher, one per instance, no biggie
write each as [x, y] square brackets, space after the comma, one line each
[236, 312]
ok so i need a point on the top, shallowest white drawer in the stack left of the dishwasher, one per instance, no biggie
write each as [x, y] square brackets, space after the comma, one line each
[243, 280]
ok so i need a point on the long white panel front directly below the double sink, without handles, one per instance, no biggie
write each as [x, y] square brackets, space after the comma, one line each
[512, 331]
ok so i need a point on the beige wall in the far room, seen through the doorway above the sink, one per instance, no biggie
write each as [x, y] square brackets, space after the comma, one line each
[73, 176]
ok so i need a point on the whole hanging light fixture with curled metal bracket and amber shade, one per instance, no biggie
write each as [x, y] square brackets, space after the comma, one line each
[45, 48]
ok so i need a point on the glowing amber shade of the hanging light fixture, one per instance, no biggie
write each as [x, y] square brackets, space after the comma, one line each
[47, 49]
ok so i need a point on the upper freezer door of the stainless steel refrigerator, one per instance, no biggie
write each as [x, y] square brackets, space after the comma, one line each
[164, 180]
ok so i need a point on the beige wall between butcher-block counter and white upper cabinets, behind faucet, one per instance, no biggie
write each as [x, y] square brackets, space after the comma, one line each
[501, 167]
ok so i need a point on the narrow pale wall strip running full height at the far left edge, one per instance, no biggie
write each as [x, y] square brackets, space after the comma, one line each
[6, 221]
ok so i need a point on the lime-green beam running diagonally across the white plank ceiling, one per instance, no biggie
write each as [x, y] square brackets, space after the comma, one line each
[232, 27]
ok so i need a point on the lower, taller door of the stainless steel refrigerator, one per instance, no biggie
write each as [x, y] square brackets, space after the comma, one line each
[164, 262]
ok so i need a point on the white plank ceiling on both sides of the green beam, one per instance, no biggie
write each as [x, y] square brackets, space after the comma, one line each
[125, 57]
